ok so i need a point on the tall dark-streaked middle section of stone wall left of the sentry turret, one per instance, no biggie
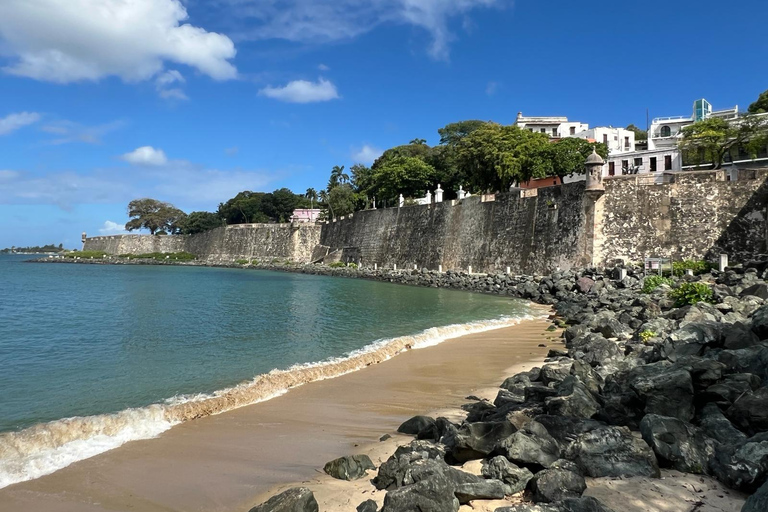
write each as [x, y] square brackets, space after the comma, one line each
[528, 234]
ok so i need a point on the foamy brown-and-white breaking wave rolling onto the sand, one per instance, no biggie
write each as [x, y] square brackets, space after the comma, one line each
[48, 447]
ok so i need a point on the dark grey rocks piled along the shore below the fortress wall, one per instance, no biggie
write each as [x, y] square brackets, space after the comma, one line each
[643, 383]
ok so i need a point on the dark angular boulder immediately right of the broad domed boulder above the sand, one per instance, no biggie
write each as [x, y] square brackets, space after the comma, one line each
[677, 444]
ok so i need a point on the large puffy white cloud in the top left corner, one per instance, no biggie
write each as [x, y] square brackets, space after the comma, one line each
[73, 40]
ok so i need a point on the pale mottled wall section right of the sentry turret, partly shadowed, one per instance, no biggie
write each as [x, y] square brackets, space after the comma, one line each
[693, 216]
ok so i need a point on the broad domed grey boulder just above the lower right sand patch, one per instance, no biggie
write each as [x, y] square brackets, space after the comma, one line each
[612, 451]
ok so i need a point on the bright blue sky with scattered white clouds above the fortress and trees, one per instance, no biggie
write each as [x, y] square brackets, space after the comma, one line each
[104, 101]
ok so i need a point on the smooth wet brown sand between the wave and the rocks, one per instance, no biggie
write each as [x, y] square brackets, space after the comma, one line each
[229, 461]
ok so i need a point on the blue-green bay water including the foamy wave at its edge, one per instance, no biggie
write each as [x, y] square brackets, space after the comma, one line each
[94, 356]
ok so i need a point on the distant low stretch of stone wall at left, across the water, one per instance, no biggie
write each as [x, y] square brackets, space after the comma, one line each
[243, 241]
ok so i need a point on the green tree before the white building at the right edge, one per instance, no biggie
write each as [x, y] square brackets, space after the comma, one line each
[708, 141]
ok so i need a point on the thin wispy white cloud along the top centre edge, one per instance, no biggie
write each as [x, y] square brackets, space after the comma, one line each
[335, 20]
